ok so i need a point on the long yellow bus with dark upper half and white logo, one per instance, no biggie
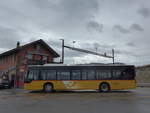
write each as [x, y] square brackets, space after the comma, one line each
[80, 77]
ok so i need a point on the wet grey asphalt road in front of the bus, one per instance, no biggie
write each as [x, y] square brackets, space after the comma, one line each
[20, 101]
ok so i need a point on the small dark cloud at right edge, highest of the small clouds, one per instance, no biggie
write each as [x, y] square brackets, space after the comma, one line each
[145, 12]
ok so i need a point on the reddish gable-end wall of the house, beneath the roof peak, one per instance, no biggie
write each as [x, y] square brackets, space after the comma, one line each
[23, 61]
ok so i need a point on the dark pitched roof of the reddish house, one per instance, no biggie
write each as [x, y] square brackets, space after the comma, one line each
[15, 50]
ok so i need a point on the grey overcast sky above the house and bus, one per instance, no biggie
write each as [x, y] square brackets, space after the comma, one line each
[120, 24]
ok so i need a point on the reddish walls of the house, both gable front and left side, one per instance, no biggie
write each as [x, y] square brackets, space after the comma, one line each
[18, 63]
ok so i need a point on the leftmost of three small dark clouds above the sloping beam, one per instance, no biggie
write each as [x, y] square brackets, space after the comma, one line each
[95, 26]
